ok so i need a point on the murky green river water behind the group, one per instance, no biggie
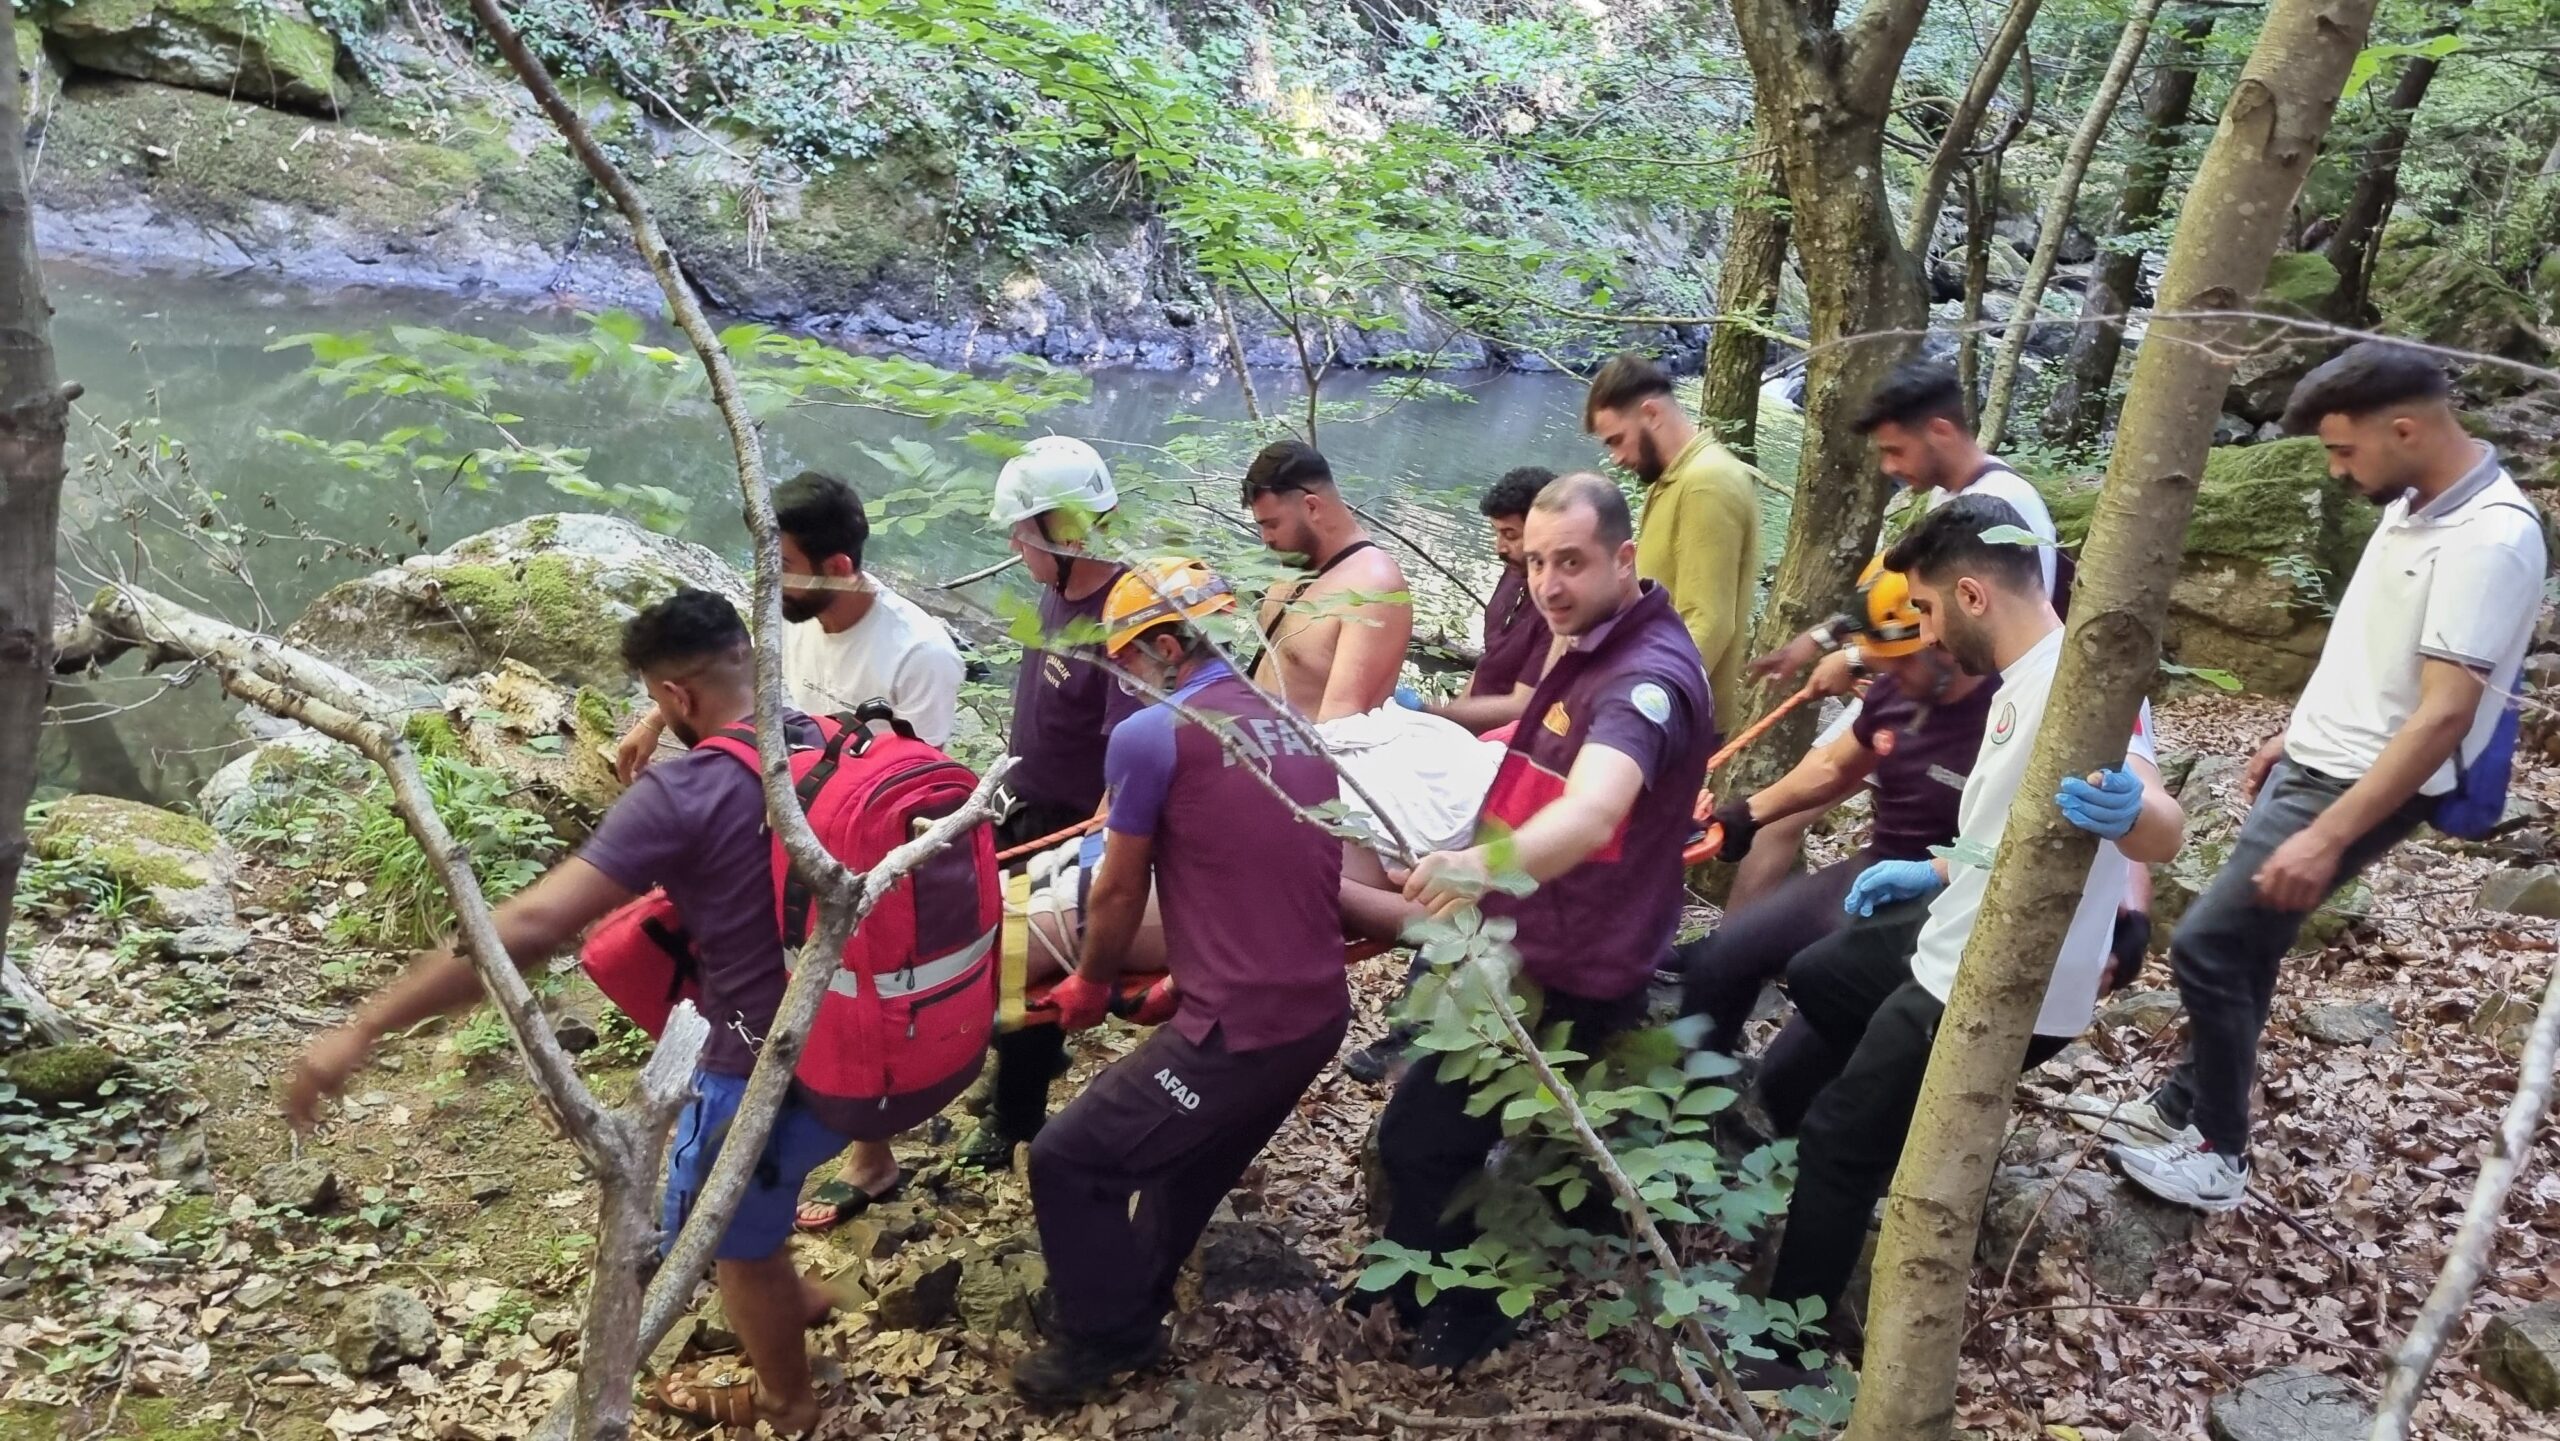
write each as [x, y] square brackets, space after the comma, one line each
[193, 362]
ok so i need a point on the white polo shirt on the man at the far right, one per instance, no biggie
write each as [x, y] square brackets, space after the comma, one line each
[2456, 580]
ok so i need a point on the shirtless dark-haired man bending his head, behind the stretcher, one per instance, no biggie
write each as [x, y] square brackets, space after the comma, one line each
[1335, 641]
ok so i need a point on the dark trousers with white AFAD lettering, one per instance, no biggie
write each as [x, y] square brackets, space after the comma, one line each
[1130, 1174]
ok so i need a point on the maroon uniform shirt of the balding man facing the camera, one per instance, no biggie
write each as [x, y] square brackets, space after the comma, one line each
[1632, 685]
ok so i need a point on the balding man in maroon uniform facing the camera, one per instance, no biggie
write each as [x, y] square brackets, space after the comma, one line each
[1596, 795]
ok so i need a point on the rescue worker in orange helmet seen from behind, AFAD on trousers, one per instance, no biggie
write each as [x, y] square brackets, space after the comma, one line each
[1256, 997]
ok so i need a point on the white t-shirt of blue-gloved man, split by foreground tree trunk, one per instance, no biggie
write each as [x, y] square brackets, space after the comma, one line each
[1983, 815]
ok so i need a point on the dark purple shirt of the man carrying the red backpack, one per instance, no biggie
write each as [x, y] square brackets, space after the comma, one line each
[698, 828]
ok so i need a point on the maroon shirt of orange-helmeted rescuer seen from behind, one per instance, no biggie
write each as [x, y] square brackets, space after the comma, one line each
[1251, 892]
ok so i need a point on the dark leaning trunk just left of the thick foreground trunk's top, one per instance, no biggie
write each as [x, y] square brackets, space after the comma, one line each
[2080, 401]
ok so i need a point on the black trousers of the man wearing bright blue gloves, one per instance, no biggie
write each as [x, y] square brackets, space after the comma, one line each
[1862, 1007]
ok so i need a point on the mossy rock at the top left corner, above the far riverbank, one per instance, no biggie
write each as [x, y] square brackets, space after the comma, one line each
[255, 50]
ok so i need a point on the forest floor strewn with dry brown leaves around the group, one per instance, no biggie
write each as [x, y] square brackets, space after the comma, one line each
[150, 1291]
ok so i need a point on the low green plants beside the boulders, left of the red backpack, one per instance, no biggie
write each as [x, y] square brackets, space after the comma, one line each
[393, 897]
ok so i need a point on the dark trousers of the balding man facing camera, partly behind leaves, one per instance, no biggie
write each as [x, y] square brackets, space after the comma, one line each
[1432, 1148]
